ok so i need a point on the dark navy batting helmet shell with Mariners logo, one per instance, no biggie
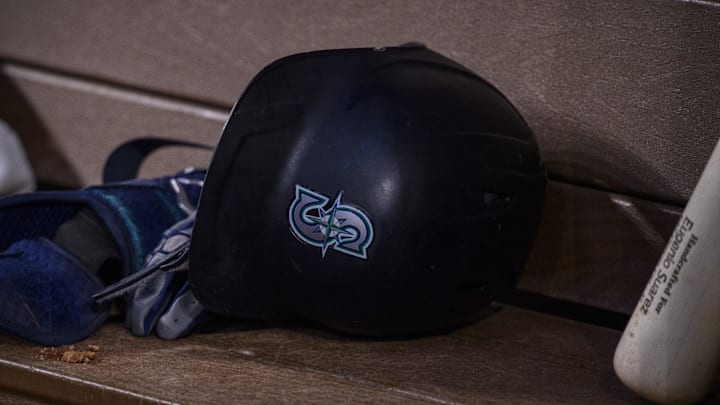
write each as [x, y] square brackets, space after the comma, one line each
[375, 191]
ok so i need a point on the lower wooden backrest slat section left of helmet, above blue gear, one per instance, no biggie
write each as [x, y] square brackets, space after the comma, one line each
[69, 127]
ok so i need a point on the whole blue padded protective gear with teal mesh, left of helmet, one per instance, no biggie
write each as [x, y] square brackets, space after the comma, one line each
[58, 248]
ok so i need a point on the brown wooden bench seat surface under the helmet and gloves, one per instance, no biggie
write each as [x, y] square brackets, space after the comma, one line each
[513, 356]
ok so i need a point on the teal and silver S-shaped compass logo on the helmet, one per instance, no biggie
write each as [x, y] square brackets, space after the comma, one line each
[342, 227]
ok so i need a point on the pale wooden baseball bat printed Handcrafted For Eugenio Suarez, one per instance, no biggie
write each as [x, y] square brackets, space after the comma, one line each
[670, 349]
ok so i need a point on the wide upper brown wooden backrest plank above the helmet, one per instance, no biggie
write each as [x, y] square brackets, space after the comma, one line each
[622, 95]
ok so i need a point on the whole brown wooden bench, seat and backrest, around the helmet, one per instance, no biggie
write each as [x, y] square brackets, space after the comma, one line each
[623, 97]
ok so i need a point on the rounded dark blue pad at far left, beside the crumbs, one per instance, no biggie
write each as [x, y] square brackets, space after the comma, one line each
[45, 294]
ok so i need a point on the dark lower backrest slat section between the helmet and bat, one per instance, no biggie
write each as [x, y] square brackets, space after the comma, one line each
[597, 248]
